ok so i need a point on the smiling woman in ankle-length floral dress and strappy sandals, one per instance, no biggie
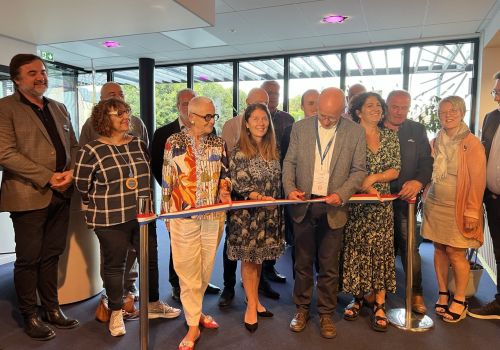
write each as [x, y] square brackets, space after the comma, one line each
[369, 233]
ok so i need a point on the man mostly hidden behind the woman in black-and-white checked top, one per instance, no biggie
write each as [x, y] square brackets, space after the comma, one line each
[138, 129]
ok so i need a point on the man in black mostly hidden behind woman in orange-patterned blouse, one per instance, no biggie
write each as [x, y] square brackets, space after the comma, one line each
[157, 148]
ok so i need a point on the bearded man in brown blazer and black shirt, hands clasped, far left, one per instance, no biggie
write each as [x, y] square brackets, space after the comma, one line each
[37, 153]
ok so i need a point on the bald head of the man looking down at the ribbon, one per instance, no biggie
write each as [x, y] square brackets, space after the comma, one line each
[331, 105]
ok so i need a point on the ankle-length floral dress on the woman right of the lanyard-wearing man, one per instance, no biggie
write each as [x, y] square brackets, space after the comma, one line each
[368, 257]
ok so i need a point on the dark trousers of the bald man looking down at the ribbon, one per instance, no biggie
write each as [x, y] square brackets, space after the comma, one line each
[313, 235]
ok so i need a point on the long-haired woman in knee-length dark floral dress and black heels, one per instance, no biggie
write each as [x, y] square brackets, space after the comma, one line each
[255, 234]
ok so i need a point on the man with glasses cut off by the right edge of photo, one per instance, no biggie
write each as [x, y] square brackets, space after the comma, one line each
[490, 137]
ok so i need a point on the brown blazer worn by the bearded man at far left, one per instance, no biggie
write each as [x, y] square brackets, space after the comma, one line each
[28, 155]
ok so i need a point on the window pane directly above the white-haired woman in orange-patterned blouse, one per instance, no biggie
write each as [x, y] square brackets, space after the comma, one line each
[216, 81]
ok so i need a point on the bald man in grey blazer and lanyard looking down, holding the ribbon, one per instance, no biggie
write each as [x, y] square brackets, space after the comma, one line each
[326, 157]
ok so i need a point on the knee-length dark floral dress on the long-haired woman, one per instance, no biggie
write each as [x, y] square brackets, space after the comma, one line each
[255, 234]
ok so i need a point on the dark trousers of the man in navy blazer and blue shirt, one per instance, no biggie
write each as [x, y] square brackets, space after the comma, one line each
[401, 239]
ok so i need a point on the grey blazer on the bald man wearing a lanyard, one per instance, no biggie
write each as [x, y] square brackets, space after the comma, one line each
[347, 166]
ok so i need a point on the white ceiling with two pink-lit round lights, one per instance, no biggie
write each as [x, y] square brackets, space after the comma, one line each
[74, 31]
